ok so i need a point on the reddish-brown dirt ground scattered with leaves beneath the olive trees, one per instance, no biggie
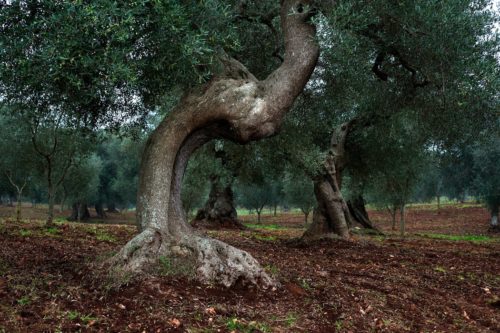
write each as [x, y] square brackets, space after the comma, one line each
[369, 284]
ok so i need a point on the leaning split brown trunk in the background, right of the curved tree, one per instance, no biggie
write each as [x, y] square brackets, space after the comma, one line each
[332, 213]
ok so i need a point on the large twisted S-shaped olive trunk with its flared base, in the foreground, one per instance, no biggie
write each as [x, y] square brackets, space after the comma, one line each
[236, 106]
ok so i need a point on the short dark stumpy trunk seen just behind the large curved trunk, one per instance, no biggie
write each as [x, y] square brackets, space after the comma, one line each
[219, 209]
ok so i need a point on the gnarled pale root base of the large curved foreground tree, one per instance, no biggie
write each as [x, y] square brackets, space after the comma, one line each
[205, 259]
